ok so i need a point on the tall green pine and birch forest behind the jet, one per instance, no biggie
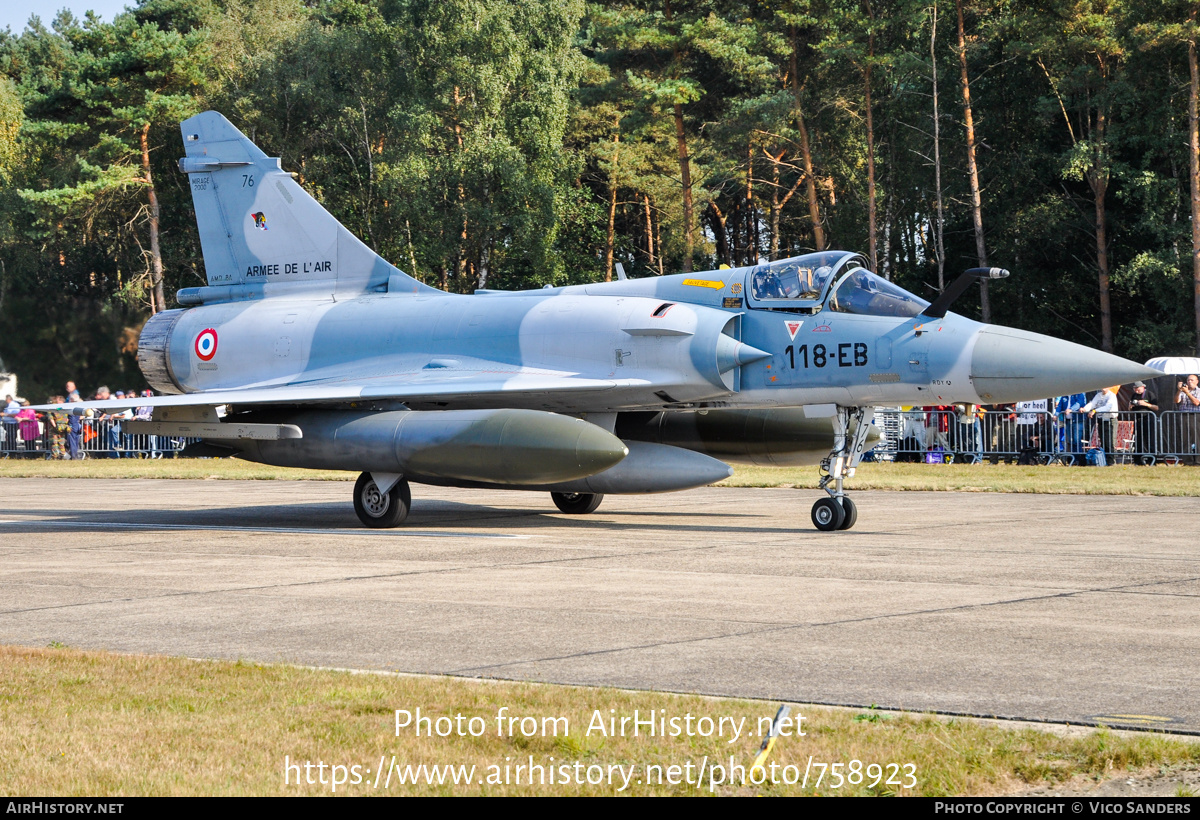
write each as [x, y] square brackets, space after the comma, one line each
[482, 143]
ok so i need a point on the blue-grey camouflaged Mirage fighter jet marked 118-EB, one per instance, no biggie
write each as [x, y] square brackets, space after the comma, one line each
[308, 350]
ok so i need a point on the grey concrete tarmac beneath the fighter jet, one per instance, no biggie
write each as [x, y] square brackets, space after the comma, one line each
[1049, 608]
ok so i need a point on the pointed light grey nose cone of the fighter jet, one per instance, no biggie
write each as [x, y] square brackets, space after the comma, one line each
[1017, 366]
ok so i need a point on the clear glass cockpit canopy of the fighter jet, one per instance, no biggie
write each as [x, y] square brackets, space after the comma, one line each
[803, 284]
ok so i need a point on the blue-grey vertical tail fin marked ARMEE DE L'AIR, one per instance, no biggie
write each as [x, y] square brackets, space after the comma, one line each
[262, 234]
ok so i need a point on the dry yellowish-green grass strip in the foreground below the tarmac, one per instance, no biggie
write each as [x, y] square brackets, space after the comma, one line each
[89, 723]
